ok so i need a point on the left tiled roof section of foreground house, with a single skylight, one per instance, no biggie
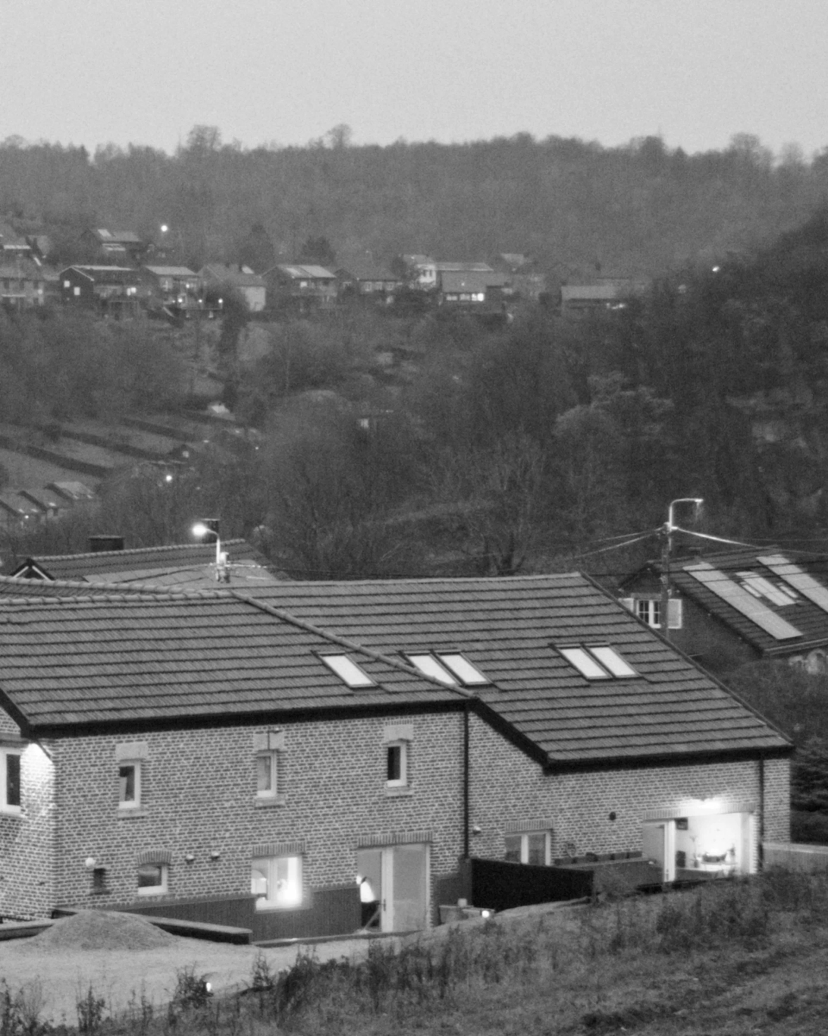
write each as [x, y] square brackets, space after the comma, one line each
[70, 664]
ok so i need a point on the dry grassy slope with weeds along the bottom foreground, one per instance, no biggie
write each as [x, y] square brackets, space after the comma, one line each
[732, 959]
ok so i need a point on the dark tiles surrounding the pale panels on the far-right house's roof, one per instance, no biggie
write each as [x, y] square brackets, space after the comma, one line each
[804, 615]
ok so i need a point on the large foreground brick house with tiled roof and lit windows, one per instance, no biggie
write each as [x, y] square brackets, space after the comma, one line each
[219, 754]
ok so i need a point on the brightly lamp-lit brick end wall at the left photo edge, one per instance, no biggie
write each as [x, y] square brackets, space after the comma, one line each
[27, 840]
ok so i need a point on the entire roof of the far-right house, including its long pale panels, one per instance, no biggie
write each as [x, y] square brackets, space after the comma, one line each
[790, 614]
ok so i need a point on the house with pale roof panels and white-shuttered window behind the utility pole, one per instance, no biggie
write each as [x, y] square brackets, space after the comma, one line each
[740, 607]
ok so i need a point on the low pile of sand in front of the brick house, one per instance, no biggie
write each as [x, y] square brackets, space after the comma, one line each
[93, 930]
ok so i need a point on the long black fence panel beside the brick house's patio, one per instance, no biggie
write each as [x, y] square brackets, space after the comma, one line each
[501, 885]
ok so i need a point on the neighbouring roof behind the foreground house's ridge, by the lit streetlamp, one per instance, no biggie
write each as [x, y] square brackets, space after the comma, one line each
[180, 566]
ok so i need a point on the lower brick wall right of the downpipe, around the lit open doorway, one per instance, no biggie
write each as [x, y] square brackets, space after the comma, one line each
[578, 807]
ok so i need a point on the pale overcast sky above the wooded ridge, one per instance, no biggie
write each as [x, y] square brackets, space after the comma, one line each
[696, 72]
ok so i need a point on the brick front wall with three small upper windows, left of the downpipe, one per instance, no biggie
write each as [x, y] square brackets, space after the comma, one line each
[199, 791]
